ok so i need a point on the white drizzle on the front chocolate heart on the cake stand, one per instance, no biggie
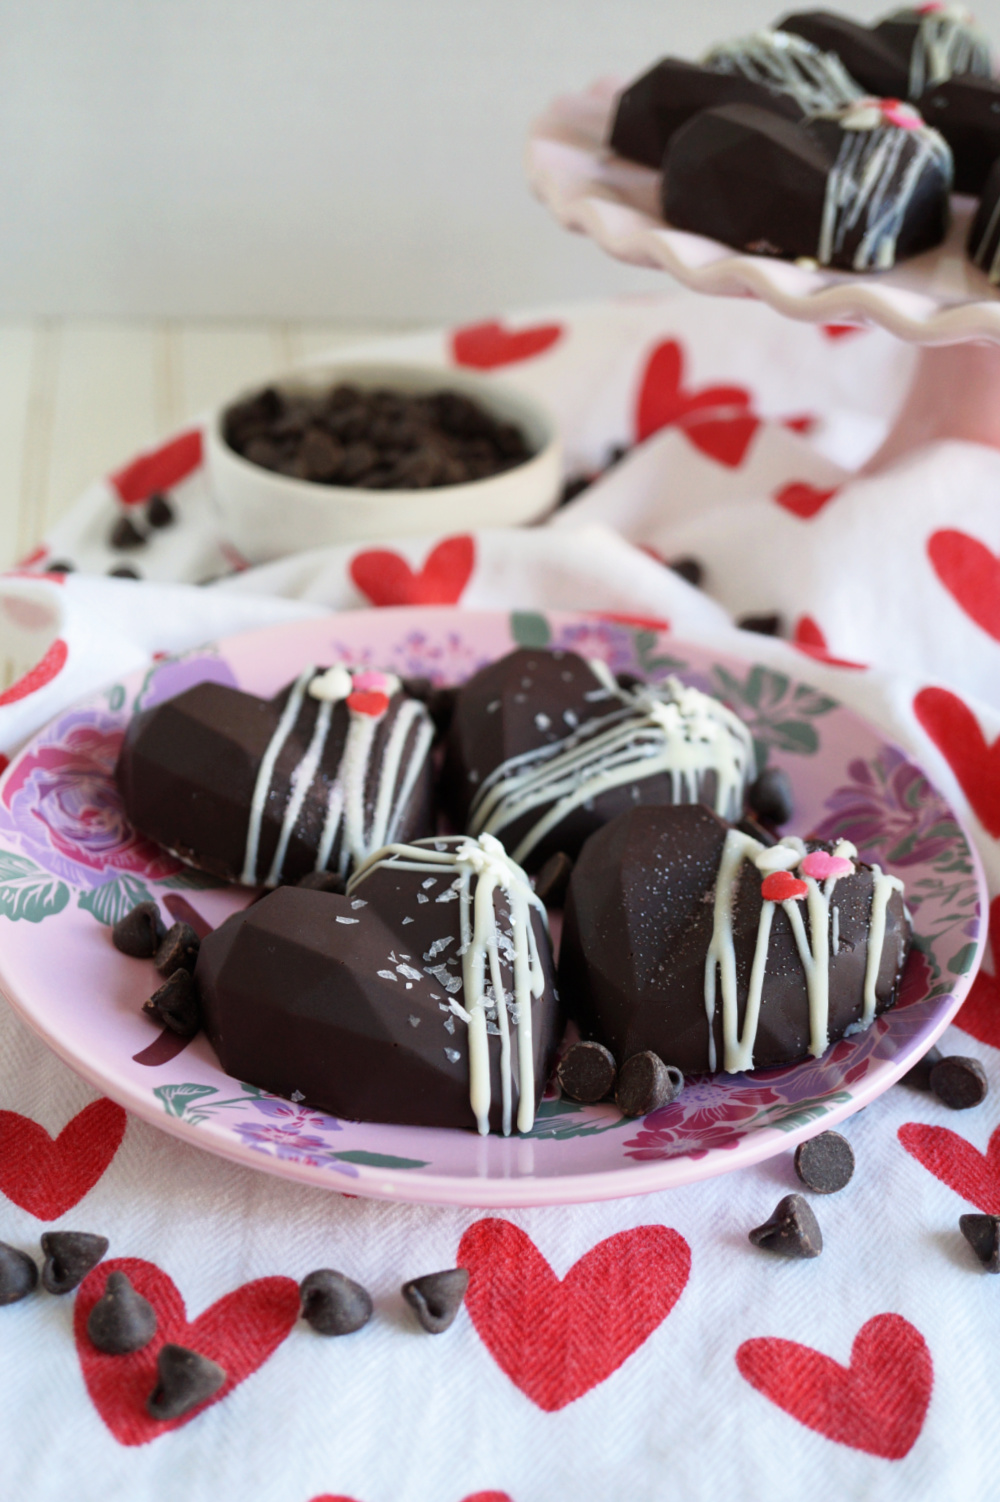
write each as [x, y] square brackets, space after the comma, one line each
[879, 167]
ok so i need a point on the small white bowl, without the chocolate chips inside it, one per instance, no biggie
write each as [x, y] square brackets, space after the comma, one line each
[270, 516]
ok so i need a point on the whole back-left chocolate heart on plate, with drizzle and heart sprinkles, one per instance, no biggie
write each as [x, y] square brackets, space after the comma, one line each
[265, 791]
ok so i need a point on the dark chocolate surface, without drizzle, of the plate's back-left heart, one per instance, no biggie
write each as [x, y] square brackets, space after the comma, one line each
[188, 767]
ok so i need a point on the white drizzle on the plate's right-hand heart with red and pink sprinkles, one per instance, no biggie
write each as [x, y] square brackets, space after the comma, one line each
[816, 950]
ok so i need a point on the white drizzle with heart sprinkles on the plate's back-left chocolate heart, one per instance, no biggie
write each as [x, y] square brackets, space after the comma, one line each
[346, 812]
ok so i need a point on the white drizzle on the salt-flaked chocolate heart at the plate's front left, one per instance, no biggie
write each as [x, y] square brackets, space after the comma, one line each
[483, 943]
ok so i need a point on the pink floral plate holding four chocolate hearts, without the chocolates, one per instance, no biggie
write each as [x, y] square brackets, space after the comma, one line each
[71, 866]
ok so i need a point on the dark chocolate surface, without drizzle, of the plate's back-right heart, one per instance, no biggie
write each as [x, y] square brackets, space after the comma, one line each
[496, 720]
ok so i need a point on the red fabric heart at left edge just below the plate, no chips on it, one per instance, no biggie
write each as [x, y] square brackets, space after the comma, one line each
[49, 1175]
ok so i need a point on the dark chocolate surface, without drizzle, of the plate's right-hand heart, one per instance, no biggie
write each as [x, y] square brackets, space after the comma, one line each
[637, 930]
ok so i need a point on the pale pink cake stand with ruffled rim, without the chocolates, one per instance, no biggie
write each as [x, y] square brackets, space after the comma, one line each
[939, 300]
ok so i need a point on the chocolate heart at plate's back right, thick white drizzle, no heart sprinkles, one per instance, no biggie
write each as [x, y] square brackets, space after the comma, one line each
[546, 747]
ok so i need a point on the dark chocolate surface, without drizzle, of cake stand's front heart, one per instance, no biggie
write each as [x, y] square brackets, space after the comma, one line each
[758, 182]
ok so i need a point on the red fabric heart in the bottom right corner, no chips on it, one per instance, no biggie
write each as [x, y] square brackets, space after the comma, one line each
[878, 1405]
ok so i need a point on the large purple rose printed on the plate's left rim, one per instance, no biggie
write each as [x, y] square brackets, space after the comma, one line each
[64, 807]
